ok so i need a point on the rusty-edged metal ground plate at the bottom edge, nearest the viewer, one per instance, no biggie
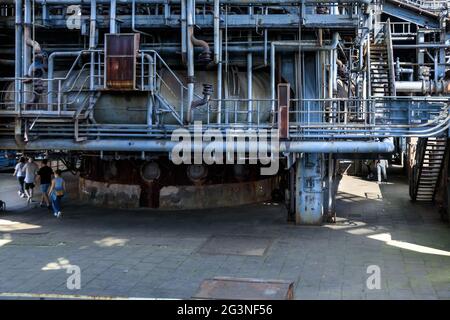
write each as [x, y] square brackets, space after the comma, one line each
[245, 289]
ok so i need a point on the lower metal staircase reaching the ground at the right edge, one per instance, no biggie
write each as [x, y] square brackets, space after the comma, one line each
[427, 171]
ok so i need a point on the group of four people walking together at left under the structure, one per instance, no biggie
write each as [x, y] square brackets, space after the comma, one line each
[51, 183]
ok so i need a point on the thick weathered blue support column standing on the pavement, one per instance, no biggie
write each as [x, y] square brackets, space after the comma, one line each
[309, 189]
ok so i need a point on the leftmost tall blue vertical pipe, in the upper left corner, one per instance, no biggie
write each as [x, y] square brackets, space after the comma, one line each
[18, 56]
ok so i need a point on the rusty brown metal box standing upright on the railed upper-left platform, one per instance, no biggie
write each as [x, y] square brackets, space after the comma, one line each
[120, 61]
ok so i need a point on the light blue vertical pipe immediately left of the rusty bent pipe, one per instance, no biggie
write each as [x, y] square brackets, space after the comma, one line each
[190, 7]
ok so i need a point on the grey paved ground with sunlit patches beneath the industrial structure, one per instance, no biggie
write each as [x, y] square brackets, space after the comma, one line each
[167, 254]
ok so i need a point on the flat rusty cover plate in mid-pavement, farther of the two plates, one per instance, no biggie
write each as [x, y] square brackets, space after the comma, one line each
[236, 245]
